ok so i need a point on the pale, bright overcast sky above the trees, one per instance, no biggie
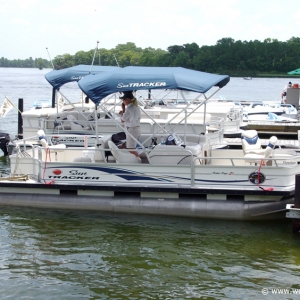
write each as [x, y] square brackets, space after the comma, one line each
[29, 27]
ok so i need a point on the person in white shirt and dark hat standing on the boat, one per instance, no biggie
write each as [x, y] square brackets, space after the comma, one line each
[130, 116]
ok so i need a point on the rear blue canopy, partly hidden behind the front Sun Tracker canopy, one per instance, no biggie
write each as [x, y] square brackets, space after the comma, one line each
[57, 78]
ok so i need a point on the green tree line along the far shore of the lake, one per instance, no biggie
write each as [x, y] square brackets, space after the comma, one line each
[228, 56]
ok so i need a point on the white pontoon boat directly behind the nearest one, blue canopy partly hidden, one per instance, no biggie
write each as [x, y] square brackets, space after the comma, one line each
[68, 119]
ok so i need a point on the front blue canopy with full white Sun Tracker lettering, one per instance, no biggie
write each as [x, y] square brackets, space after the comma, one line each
[98, 86]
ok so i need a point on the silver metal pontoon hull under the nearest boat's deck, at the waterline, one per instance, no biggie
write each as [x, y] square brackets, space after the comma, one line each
[183, 202]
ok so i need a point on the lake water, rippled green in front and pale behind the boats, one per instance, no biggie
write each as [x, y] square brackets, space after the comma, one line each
[52, 254]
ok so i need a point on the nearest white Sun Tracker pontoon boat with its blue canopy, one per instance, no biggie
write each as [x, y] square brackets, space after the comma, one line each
[184, 177]
